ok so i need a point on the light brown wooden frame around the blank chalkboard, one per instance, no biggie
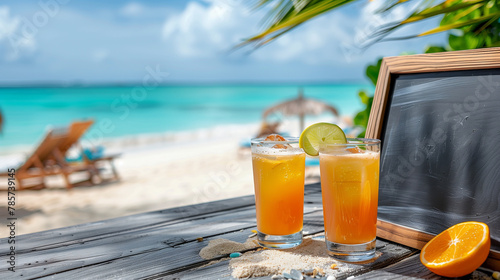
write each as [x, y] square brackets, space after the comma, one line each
[488, 58]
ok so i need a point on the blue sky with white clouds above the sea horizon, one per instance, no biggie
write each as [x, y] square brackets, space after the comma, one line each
[84, 42]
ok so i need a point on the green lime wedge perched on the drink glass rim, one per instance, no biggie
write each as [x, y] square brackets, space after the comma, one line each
[320, 133]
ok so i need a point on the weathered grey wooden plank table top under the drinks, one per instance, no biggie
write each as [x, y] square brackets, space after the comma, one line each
[163, 245]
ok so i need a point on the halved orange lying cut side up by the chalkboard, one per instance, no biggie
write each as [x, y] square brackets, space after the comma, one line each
[457, 251]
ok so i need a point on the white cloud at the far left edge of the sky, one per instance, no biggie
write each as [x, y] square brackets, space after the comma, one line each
[16, 36]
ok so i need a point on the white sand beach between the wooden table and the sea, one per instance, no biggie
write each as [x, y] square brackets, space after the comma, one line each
[156, 172]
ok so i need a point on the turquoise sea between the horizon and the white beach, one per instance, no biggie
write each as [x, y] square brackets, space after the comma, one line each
[27, 112]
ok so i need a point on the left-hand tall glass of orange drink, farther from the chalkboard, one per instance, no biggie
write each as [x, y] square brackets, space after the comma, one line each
[278, 173]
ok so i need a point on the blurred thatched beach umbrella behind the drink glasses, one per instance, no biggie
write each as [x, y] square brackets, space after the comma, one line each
[301, 107]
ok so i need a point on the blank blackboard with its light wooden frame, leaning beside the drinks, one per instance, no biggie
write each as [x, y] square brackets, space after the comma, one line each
[440, 156]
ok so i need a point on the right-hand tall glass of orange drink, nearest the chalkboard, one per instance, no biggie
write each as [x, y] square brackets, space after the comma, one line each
[349, 186]
